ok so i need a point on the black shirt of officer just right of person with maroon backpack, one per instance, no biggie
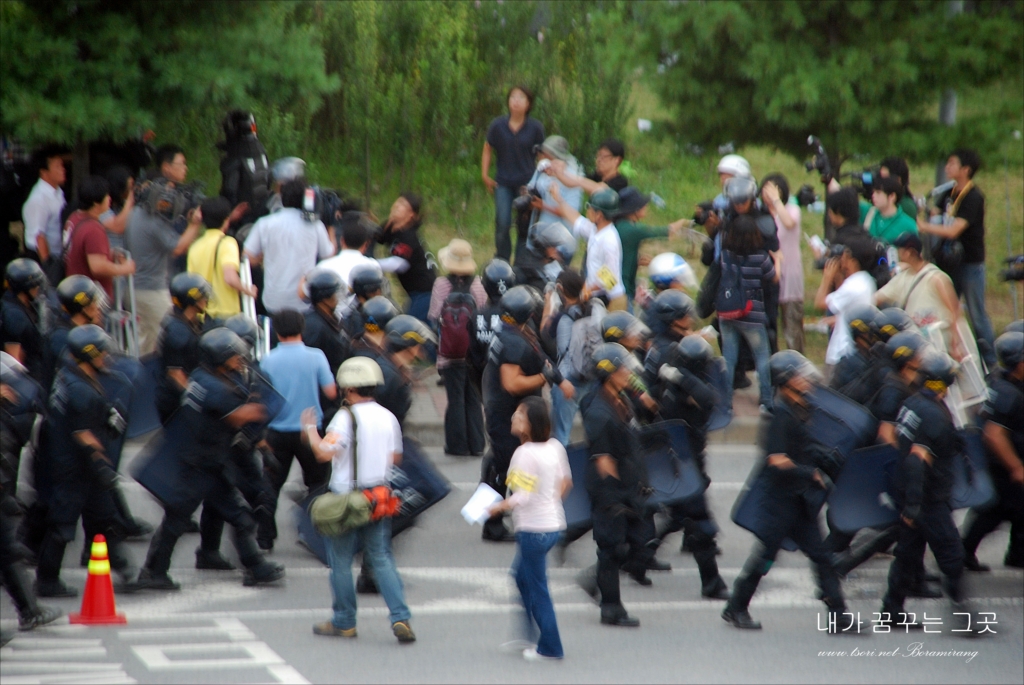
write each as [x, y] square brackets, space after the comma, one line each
[508, 347]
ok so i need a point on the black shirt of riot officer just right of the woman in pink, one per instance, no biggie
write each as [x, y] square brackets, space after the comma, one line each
[612, 430]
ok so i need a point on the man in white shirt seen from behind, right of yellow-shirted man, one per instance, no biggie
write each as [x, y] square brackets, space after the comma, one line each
[288, 244]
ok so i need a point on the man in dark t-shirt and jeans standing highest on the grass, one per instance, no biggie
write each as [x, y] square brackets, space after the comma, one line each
[513, 138]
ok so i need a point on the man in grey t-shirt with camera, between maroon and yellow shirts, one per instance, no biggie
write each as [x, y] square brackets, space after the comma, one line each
[154, 239]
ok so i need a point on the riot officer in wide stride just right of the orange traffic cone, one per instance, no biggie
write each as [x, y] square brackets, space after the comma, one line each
[218, 410]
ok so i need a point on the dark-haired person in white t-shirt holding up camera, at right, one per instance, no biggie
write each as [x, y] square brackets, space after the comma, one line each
[845, 285]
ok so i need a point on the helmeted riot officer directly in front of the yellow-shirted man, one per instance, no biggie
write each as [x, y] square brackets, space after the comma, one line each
[179, 342]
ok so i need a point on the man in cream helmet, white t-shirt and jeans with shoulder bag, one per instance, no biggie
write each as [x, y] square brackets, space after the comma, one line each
[376, 445]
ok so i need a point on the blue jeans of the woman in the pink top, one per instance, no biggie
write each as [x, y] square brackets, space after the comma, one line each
[531, 572]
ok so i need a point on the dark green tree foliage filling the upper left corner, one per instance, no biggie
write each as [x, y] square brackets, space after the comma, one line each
[76, 71]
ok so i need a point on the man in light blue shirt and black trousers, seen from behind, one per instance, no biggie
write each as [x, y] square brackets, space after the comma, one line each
[300, 374]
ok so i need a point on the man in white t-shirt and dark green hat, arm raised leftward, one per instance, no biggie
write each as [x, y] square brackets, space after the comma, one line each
[605, 250]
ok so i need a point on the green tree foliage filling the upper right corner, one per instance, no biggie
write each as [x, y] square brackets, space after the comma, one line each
[865, 77]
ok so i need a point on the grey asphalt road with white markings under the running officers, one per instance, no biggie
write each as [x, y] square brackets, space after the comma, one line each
[464, 608]
